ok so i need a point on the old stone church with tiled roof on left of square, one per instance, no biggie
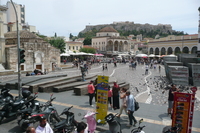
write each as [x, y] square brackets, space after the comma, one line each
[39, 54]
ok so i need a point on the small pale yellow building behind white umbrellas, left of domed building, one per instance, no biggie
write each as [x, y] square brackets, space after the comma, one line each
[74, 46]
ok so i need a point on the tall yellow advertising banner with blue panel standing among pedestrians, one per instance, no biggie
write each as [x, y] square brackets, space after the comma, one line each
[102, 98]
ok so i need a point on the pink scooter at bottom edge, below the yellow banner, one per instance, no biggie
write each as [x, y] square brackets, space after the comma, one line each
[91, 121]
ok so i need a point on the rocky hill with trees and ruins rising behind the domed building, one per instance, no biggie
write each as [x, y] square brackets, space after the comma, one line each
[127, 28]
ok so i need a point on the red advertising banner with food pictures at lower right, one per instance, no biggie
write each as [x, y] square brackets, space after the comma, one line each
[181, 111]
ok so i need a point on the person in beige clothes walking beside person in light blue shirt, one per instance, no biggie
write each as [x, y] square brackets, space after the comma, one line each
[123, 101]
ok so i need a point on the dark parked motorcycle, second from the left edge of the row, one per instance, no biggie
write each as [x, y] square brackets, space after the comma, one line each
[23, 115]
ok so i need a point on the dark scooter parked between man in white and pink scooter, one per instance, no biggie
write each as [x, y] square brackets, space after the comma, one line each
[67, 125]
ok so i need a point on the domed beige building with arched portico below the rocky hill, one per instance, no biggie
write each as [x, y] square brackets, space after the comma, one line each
[108, 41]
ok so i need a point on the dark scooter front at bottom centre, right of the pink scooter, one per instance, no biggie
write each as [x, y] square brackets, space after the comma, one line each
[114, 125]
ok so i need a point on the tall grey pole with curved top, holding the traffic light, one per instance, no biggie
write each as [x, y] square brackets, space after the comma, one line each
[18, 53]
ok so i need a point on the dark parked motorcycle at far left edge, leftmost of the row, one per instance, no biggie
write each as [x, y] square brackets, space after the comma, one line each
[11, 108]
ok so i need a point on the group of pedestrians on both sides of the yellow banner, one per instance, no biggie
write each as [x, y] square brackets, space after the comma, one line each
[114, 96]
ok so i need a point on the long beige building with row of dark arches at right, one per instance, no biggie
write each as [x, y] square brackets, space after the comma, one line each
[173, 45]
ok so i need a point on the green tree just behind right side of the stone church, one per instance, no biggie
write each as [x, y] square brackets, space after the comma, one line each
[58, 43]
